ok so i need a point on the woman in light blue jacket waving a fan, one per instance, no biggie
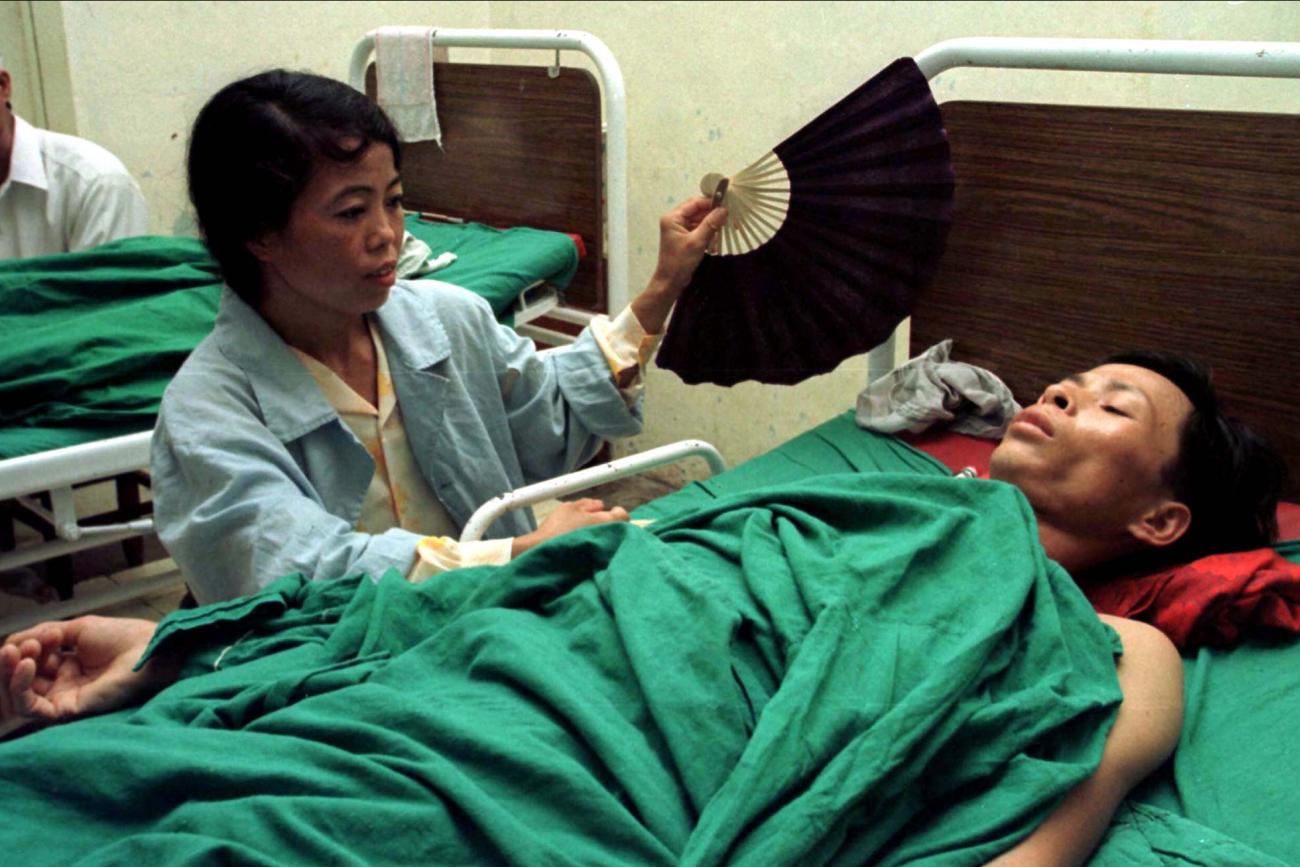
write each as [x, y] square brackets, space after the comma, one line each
[337, 419]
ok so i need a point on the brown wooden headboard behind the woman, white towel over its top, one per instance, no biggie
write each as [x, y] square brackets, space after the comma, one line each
[519, 149]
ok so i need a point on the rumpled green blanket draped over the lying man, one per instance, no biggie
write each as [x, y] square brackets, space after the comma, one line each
[872, 670]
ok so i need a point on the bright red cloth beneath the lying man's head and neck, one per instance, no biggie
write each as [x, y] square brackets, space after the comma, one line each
[1216, 601]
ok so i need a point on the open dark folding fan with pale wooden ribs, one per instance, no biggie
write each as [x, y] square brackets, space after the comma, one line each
[827, 241]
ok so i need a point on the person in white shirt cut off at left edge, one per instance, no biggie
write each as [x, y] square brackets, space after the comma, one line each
[60, 193]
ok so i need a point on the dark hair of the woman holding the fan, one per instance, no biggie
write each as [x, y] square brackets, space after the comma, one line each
[255, 146]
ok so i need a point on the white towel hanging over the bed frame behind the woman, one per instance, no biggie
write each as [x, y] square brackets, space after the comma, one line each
[404, 72]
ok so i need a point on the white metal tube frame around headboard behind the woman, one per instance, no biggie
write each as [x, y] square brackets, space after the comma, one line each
[616, 124]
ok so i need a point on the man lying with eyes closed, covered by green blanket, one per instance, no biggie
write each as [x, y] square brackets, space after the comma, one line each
[1119, 462]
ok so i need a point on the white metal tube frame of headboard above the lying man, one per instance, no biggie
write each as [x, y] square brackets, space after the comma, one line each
[1163, 57]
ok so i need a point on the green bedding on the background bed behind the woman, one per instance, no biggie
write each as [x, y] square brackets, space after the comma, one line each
[89, 341]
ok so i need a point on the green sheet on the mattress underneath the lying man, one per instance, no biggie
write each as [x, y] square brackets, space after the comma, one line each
[1233, 792]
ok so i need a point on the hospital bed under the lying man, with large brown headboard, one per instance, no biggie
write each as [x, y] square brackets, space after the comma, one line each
[1085, 232]
